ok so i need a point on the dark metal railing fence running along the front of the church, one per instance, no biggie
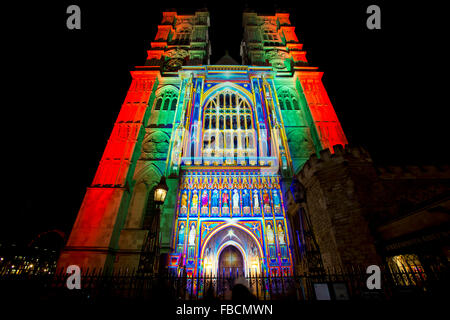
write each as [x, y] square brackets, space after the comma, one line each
[348, 284]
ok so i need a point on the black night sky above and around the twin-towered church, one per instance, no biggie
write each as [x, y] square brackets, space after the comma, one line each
[65, 87]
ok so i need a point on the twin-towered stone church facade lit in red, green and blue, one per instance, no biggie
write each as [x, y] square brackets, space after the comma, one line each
[227, 137]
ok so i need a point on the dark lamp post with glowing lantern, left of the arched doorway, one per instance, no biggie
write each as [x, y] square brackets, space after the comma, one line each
[150, 256]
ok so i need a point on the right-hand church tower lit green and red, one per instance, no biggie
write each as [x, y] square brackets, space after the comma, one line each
[309, 117]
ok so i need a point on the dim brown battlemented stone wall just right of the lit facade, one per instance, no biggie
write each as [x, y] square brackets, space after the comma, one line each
[340, 187]
